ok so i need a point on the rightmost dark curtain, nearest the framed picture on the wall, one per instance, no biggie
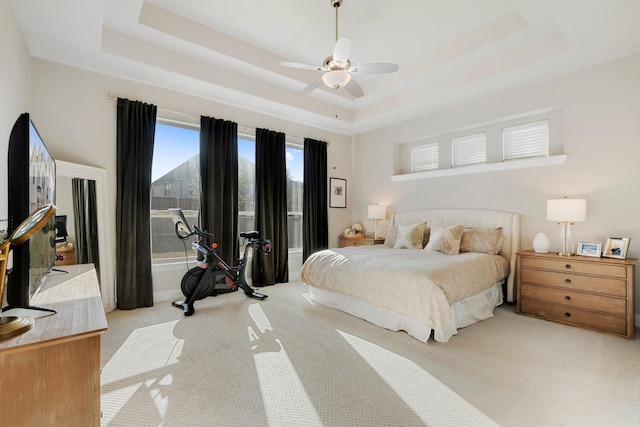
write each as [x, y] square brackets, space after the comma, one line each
[315, 221]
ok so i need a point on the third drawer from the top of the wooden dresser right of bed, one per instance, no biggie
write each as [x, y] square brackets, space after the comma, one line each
[615, 306]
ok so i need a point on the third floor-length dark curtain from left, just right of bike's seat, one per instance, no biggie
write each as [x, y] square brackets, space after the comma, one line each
[271, 208]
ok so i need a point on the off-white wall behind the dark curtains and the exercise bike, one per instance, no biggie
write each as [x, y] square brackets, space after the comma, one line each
[77, 121]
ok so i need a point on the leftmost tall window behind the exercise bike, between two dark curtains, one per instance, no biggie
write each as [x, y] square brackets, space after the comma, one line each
[175, 183]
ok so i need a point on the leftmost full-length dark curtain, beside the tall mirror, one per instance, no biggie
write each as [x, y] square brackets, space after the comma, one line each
[135, 135]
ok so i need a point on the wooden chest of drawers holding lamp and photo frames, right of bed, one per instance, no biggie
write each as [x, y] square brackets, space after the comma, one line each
[593, 293]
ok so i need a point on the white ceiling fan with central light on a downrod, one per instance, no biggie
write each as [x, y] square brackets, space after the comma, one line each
[339, 67]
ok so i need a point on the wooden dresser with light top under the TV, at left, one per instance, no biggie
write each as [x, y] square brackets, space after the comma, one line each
[50, 375]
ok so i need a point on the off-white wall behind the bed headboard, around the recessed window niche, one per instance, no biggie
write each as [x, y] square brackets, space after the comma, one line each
[601, 110]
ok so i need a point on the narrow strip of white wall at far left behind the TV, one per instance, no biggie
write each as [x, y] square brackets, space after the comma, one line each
[15, 78]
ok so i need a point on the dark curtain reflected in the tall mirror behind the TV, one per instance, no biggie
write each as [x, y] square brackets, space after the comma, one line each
[86, 221]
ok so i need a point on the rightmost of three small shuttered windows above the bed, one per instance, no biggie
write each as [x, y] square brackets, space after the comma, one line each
[527, 140]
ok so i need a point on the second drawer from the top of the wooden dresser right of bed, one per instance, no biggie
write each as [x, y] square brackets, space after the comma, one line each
[565, 280]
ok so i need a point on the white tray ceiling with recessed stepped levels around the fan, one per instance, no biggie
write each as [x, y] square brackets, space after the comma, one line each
[228, 51]
